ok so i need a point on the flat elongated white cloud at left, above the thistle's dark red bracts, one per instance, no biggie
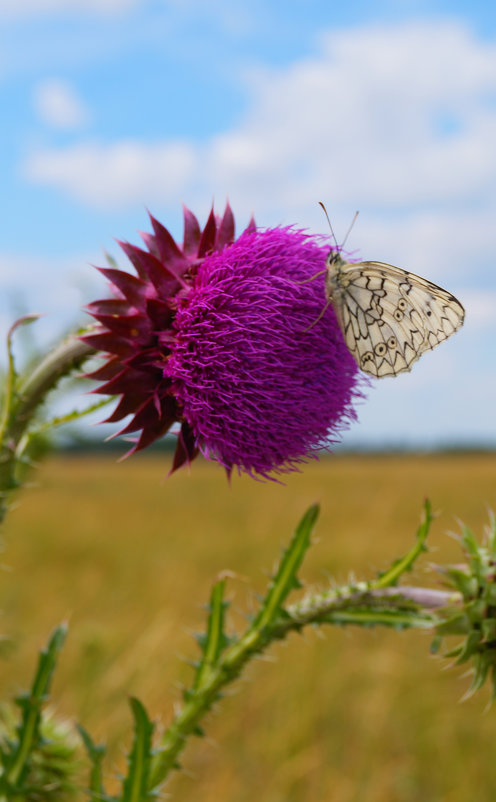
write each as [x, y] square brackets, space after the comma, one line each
[112, 176]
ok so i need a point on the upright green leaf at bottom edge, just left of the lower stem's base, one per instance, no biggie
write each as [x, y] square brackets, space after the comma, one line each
[136, 784]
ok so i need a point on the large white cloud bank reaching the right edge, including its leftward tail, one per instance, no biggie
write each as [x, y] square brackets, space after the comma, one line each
[383, 117]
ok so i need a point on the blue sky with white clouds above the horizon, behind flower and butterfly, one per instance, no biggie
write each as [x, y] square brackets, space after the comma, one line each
[113, 107]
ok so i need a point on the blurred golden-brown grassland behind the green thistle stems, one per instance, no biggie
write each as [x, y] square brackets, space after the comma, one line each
[337, 714]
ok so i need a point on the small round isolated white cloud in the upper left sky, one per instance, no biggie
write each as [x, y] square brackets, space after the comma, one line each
[58, 104]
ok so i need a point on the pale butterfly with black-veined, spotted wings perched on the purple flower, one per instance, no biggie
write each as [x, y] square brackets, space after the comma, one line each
[389, 317]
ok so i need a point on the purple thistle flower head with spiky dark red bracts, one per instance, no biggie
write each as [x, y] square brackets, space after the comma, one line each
[223, 336]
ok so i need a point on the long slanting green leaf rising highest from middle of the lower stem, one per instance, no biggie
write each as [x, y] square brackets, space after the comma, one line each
[286, 578]
